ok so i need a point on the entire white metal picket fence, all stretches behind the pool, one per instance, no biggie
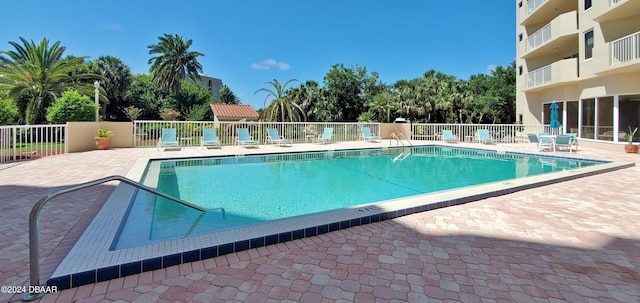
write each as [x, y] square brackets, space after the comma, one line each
[22, 142]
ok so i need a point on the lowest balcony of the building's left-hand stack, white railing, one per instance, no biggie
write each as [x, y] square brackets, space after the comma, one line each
[558, 73]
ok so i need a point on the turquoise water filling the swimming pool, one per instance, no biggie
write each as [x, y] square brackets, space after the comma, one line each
[256, 189]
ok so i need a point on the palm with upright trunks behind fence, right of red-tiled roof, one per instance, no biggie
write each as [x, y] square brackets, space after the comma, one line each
[281, 108]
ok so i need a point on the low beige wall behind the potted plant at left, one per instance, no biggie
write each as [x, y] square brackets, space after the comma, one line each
[80, 135]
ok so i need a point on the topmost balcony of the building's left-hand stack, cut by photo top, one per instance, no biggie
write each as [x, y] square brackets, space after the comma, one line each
[542, 11]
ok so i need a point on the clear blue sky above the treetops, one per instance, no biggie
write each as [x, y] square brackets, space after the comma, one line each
[247, 43]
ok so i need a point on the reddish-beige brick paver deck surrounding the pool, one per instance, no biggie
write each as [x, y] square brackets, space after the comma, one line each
[574, 241]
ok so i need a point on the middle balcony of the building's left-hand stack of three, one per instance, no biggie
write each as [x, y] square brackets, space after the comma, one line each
[560, 34]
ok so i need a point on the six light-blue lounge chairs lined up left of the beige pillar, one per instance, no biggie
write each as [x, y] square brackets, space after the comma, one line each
[210, 139]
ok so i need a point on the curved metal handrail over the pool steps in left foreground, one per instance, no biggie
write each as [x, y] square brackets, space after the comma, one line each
[34, 241]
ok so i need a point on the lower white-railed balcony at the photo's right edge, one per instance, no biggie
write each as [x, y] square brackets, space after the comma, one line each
[623, 55]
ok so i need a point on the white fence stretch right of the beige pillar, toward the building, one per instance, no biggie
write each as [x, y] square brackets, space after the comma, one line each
[504, 133]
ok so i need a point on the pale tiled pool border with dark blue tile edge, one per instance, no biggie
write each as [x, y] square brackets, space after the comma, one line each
[93, 257]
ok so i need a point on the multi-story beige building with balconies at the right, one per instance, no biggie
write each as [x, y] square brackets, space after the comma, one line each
[585, 55]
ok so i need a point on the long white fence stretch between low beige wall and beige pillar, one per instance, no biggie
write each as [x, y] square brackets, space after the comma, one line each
[189, 133]
